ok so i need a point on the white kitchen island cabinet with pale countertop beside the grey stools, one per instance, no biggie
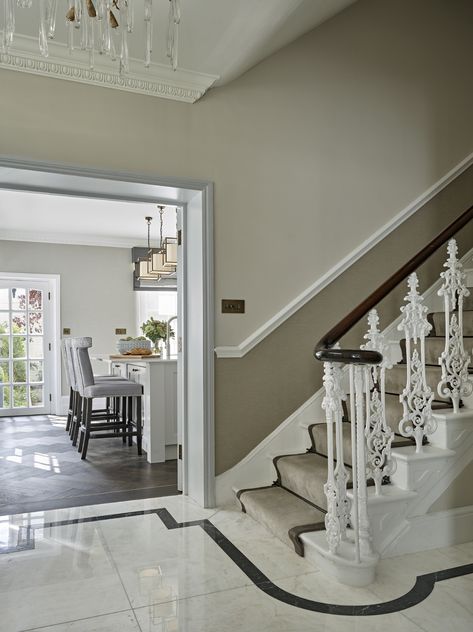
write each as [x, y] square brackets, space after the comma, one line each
[159, 380]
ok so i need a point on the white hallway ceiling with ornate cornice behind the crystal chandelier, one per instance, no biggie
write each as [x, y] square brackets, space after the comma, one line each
[218, 41]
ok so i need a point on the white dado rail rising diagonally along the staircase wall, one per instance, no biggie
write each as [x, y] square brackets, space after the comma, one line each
[238, 351]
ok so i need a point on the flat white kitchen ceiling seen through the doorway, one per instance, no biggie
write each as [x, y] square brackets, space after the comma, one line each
[43, 217]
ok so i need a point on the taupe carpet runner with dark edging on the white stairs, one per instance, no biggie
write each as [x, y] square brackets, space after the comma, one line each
[296, 501]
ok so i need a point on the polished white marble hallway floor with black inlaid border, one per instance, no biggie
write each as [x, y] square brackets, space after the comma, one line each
[95, 568]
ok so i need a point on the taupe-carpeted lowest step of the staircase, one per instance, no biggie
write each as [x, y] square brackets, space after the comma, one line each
[279, 511]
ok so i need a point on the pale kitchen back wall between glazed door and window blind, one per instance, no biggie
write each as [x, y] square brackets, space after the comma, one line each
[96, 286]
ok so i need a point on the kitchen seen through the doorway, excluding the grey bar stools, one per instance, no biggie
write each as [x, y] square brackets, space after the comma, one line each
[93, 279]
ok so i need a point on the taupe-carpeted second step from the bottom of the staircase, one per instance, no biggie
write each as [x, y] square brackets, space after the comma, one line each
[304, 475]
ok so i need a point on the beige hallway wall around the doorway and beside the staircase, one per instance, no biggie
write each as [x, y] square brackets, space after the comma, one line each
[311, 151]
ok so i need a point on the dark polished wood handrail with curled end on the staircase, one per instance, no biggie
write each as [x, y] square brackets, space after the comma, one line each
[337, 332]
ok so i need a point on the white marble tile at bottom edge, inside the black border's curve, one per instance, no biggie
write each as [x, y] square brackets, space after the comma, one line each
[250, 610]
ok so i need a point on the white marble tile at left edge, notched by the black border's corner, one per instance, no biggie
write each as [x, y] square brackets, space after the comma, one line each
[69, 575]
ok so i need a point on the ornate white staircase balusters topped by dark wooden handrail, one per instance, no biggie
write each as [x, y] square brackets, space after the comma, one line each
[347, 520]
